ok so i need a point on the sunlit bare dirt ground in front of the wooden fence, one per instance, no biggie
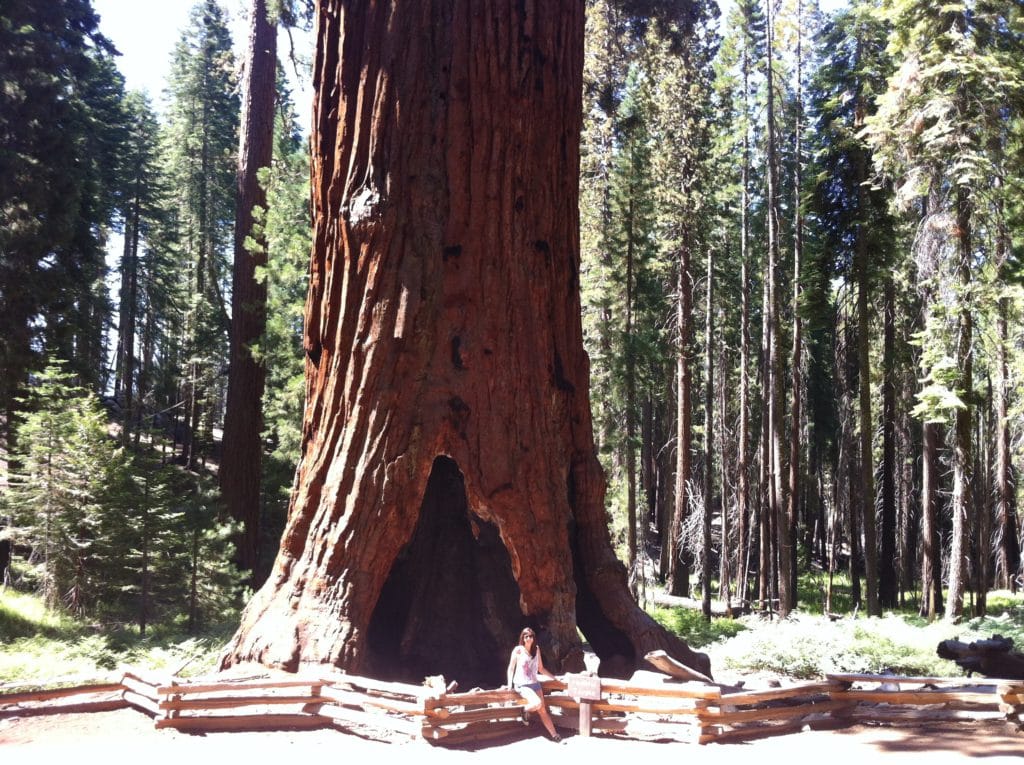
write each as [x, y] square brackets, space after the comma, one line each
[127, 736]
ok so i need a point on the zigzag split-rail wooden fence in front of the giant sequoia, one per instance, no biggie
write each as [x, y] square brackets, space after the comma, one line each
[652, 706]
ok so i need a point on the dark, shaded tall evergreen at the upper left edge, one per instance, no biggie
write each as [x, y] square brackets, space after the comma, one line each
[60, 131]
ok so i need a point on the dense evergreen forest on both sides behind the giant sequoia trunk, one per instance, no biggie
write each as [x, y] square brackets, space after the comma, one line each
[904, 194]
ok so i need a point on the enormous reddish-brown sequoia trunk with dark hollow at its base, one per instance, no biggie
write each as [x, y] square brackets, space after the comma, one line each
[449, 491]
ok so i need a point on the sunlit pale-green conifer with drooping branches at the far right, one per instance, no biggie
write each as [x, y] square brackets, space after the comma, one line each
[932, 133]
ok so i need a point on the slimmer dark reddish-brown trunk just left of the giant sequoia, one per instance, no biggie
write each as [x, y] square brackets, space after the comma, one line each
[241, 463]
